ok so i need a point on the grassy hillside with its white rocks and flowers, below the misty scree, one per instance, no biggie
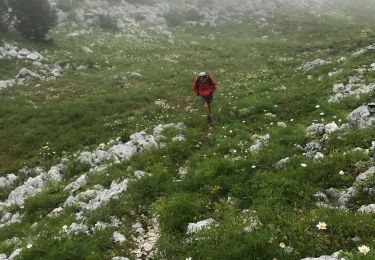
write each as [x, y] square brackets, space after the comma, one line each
[105, 153]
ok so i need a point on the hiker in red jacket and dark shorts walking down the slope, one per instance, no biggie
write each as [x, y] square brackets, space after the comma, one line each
[204, 85]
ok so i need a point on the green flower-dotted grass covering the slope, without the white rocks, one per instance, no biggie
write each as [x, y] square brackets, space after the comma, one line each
[85, 108]
